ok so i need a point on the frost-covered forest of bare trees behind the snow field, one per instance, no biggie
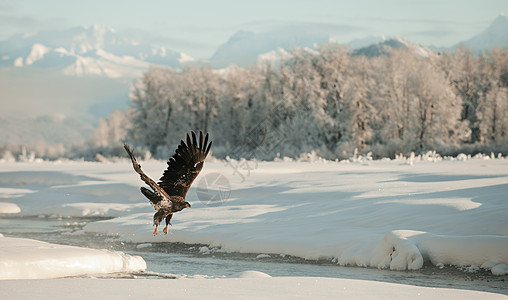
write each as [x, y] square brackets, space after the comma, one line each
[326, 101]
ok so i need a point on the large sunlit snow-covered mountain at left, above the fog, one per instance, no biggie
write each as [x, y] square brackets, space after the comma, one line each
[80, 51]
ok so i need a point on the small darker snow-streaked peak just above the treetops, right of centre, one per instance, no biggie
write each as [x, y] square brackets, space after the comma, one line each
[384, 48]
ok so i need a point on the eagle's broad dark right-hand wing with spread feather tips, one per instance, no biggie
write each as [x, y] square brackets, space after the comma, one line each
[185, 165]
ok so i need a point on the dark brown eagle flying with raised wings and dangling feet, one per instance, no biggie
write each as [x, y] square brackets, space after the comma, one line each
[168, 195]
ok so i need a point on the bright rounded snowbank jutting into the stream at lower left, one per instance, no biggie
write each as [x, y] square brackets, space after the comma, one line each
[31, 259]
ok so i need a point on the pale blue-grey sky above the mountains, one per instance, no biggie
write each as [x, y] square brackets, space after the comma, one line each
[199, 27]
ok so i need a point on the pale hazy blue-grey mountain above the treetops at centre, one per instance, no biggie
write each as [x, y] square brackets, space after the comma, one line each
[245, 47]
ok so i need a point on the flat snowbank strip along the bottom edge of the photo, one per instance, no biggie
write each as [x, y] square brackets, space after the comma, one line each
[228, 288]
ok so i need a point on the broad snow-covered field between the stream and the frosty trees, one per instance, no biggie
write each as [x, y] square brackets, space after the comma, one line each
[390, 214]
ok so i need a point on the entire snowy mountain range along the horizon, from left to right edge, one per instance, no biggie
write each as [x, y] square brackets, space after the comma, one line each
[98, 50]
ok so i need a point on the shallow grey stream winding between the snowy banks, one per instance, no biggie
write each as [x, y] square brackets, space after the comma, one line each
[165, 259]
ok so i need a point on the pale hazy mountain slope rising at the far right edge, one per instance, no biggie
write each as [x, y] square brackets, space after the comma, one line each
[496, 35]
